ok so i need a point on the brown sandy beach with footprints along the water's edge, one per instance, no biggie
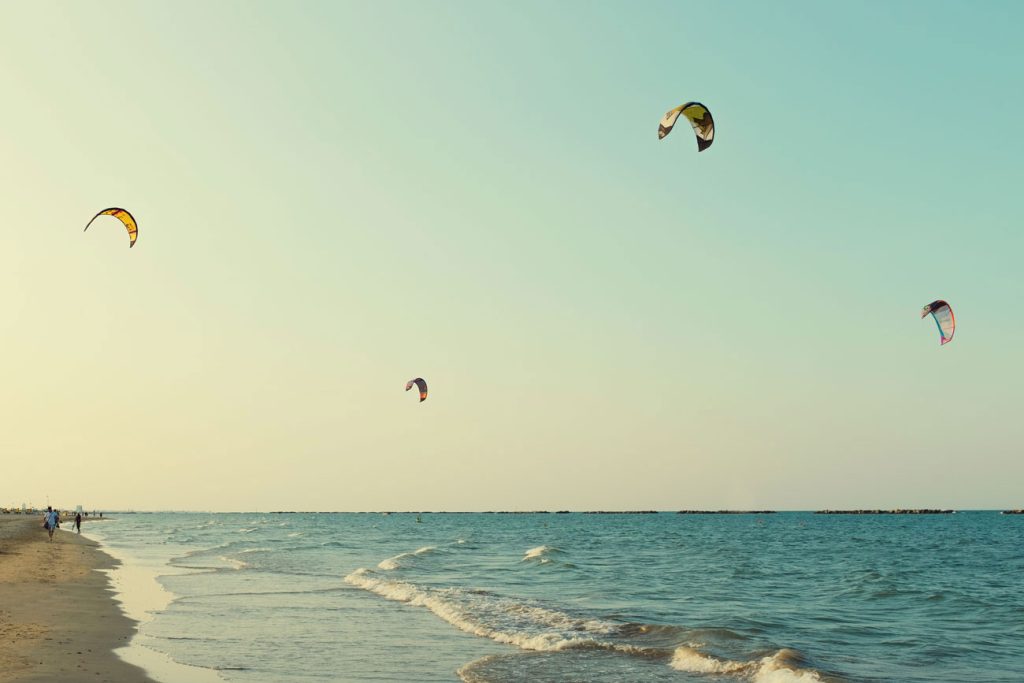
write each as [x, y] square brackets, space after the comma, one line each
[59, 621]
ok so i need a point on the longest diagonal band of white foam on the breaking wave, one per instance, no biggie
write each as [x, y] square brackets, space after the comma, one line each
[502, 620]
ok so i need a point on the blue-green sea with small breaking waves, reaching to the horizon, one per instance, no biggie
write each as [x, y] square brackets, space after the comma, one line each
[296, 599]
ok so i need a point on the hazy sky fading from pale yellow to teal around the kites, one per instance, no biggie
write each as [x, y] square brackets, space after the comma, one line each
[334, 198]
